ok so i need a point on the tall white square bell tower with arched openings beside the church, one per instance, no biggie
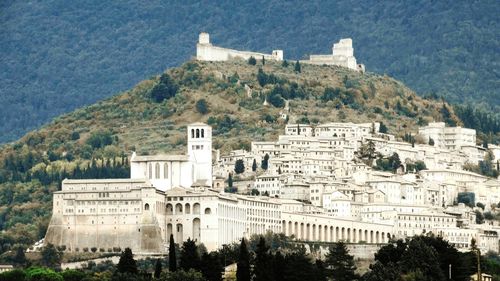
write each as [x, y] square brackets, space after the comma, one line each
[200, 152]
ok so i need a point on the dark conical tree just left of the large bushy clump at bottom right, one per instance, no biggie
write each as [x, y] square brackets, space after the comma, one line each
[340, 265]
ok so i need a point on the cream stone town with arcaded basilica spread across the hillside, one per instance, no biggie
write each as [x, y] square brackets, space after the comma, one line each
[330, 182]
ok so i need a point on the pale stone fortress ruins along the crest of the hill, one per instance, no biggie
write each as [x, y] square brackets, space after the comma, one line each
[342, 54]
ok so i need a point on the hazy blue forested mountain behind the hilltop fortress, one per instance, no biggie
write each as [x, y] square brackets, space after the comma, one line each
[57, 56]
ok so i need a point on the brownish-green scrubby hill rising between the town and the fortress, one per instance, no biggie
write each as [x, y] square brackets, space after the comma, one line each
[94, 141]
